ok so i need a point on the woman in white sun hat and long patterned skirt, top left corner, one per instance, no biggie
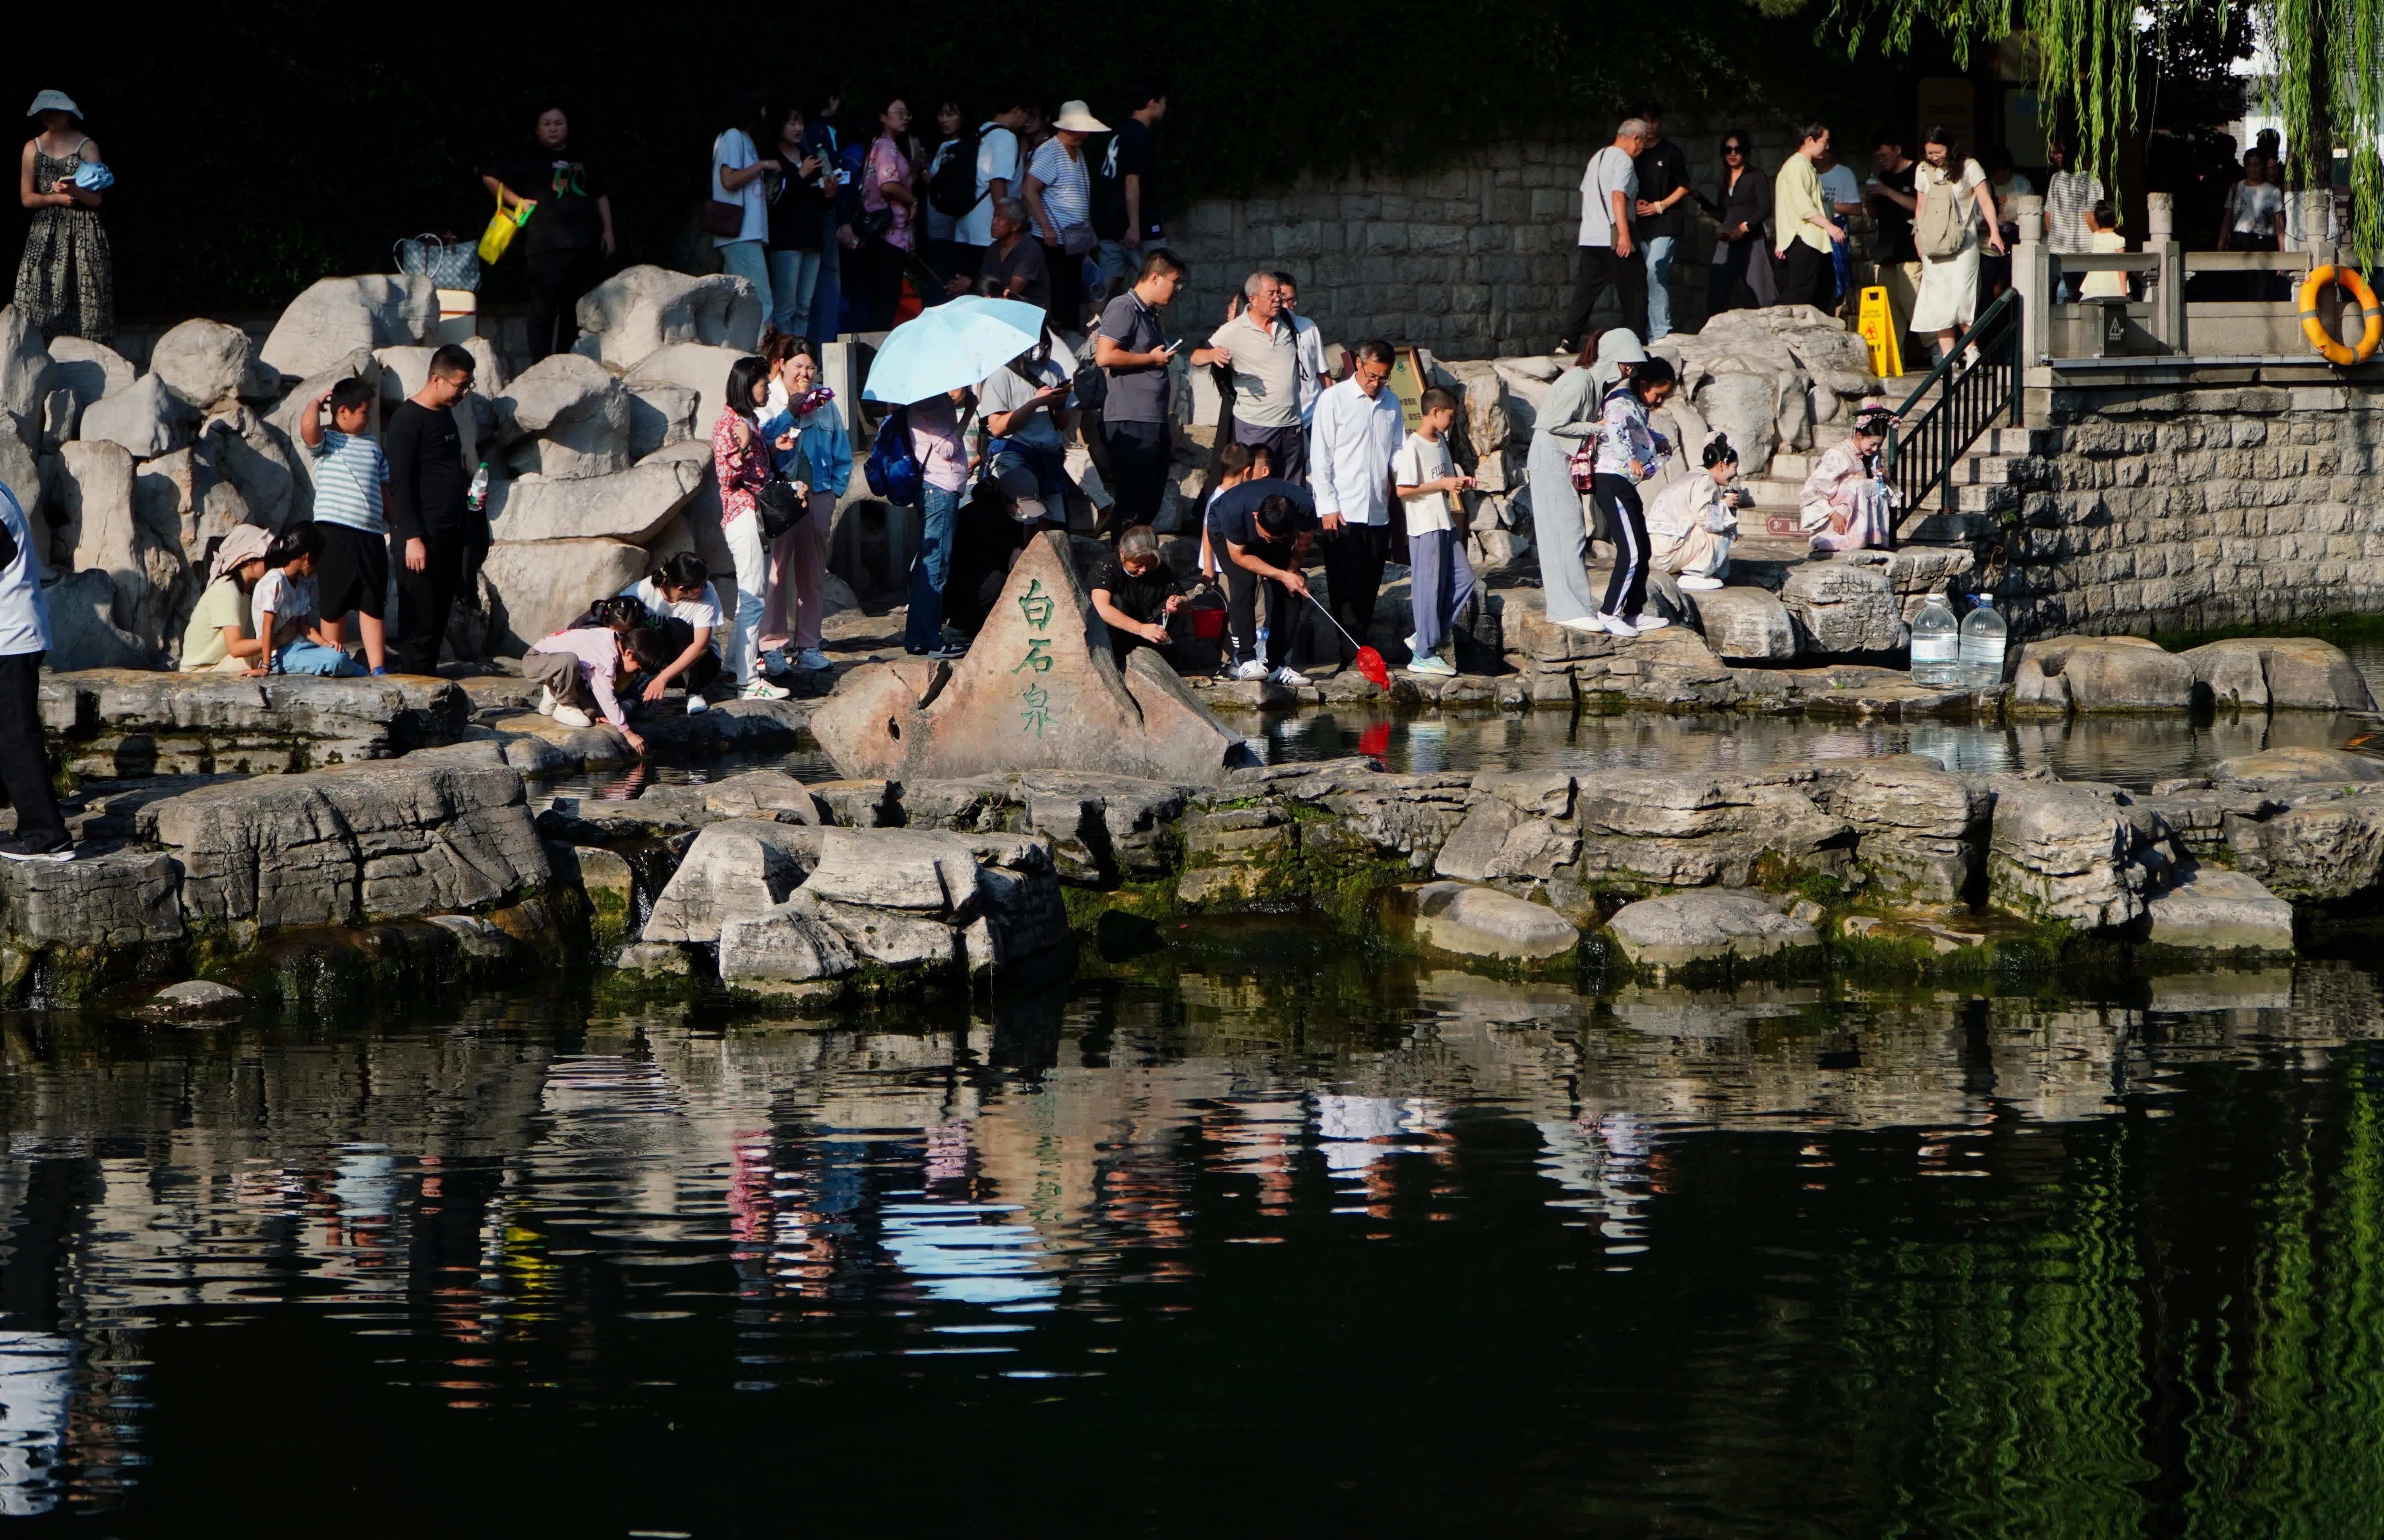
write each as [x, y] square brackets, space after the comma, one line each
[66, 282]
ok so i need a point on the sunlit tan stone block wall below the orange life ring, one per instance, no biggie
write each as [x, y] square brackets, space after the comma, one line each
[2187, 509]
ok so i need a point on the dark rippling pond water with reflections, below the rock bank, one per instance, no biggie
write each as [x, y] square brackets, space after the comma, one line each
[1267, 1241]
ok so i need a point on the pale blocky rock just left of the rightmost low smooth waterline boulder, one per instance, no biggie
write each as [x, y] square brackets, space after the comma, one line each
[2066, 852]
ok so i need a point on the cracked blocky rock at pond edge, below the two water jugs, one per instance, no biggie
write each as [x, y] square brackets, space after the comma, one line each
[1920, 831]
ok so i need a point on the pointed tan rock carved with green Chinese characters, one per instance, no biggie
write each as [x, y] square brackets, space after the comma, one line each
[1036, 693]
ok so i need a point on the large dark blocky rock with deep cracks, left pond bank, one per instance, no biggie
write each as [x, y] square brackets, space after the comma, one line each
[356, 843]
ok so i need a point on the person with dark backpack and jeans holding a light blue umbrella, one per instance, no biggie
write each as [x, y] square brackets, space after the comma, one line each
[931, 368]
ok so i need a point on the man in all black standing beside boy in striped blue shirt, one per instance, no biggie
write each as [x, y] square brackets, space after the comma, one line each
[435, 533]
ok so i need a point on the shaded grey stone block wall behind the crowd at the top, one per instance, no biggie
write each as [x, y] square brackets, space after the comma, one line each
[1475, 261]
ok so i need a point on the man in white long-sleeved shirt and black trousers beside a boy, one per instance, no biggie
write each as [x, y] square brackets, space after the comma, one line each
[1358, 435]
